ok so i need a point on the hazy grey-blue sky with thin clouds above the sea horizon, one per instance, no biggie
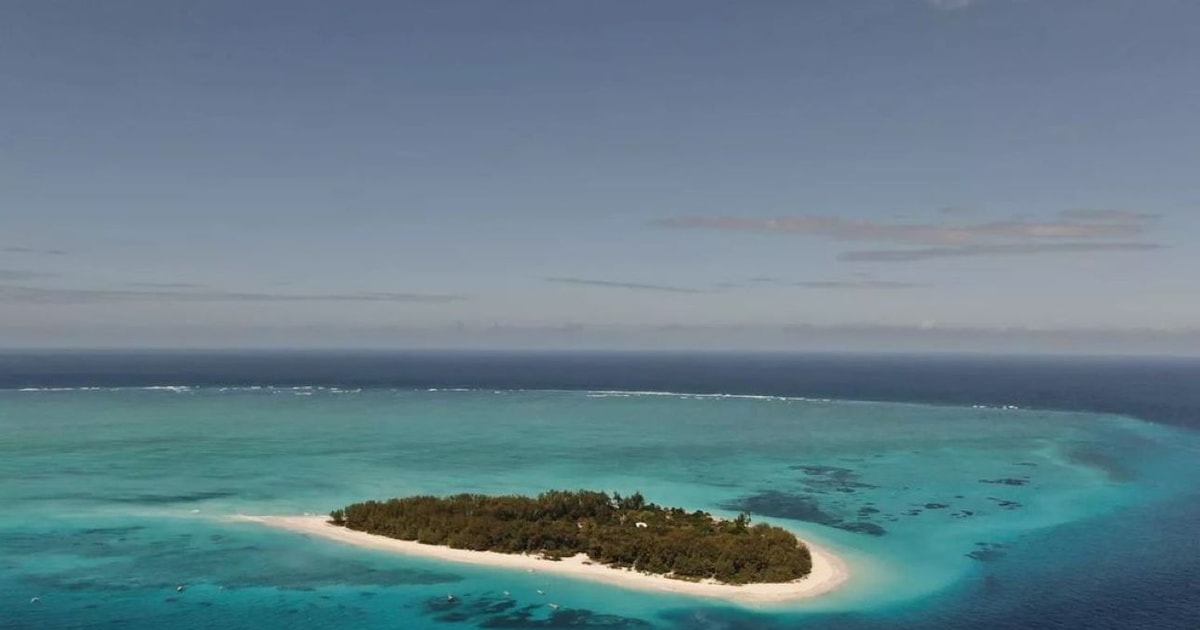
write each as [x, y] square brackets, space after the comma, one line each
[943, 176]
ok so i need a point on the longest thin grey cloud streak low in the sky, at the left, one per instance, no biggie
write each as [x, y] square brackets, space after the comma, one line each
[57, 296]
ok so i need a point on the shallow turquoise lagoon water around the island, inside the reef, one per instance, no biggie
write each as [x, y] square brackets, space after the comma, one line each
[116, 496]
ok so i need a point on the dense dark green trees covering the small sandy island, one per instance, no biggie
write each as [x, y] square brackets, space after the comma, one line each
[615, 531]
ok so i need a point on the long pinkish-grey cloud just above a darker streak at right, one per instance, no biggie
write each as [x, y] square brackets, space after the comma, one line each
[913, 233]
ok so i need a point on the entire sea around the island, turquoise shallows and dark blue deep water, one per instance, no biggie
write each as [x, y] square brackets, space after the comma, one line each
[964, 493]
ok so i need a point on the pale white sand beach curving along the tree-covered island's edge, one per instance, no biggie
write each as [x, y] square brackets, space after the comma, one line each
[829, 571]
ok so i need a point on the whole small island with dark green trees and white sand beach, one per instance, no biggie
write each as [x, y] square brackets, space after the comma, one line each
[623, 541]
